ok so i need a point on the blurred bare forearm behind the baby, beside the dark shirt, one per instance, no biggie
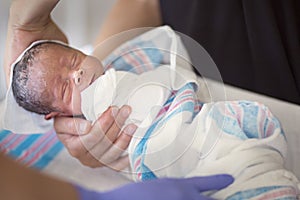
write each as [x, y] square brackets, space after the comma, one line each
[126, 15]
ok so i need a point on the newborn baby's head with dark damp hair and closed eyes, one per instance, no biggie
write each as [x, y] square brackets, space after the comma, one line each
[50, 76]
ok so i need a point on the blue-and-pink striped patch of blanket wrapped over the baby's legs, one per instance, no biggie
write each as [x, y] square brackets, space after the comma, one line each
[245, 119]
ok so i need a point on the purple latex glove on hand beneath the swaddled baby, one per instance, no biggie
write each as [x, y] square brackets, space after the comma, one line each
[162, 189]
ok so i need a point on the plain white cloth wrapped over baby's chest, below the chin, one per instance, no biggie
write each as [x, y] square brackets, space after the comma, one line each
[145, 93]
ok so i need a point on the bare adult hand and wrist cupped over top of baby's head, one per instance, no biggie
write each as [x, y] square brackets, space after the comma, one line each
[29, 21]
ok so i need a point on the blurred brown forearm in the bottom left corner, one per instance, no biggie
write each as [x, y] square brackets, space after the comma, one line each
[19, 182]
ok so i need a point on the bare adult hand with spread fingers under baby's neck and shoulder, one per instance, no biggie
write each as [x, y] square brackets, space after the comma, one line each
[100, 144]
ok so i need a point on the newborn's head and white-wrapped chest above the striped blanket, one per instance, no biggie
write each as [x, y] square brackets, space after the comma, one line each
[54, 79]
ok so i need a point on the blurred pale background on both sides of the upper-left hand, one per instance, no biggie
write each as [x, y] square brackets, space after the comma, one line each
[80, 20]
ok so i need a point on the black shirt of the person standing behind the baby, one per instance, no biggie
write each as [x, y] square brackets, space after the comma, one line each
[254, 43]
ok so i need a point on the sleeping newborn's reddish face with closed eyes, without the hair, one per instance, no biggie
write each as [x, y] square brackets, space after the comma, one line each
[65, 73]
